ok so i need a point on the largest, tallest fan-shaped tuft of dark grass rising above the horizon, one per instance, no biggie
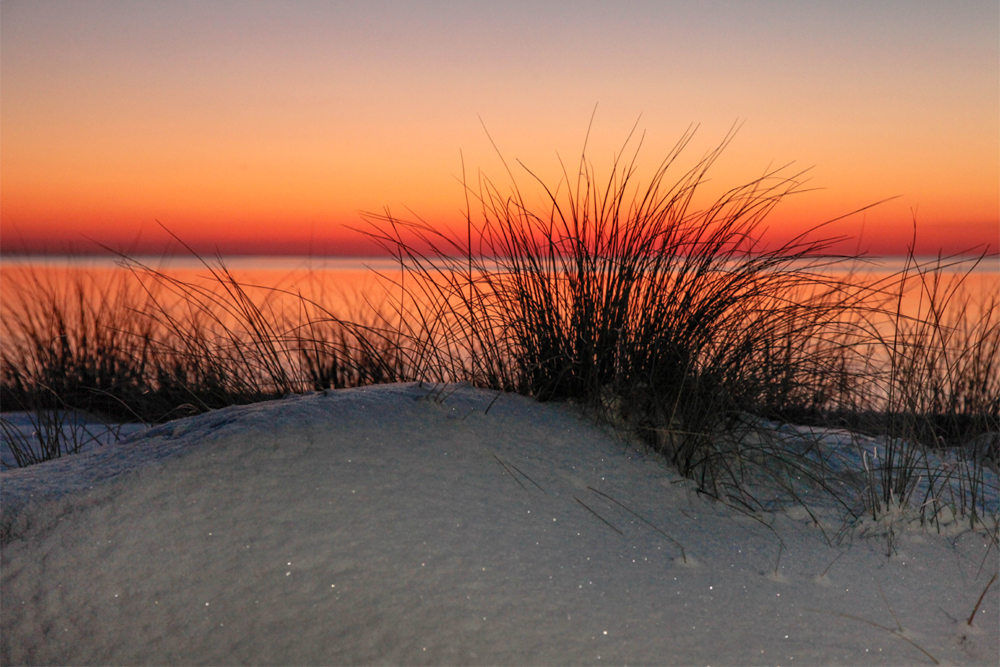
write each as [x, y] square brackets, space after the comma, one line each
[673, 319]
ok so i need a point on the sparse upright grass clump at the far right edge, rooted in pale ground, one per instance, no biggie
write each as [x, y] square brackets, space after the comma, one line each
[937, 395]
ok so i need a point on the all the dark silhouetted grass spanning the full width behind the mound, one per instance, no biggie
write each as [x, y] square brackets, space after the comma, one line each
[670, 316]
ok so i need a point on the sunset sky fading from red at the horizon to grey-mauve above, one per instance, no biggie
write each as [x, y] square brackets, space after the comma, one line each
[266, 127]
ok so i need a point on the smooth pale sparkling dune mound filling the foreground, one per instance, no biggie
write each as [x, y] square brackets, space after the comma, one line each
[382, 526]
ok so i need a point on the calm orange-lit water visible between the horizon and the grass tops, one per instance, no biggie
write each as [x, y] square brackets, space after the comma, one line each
[345, 287]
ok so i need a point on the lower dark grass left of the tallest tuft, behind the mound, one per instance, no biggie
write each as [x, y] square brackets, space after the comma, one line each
[139, 344]
